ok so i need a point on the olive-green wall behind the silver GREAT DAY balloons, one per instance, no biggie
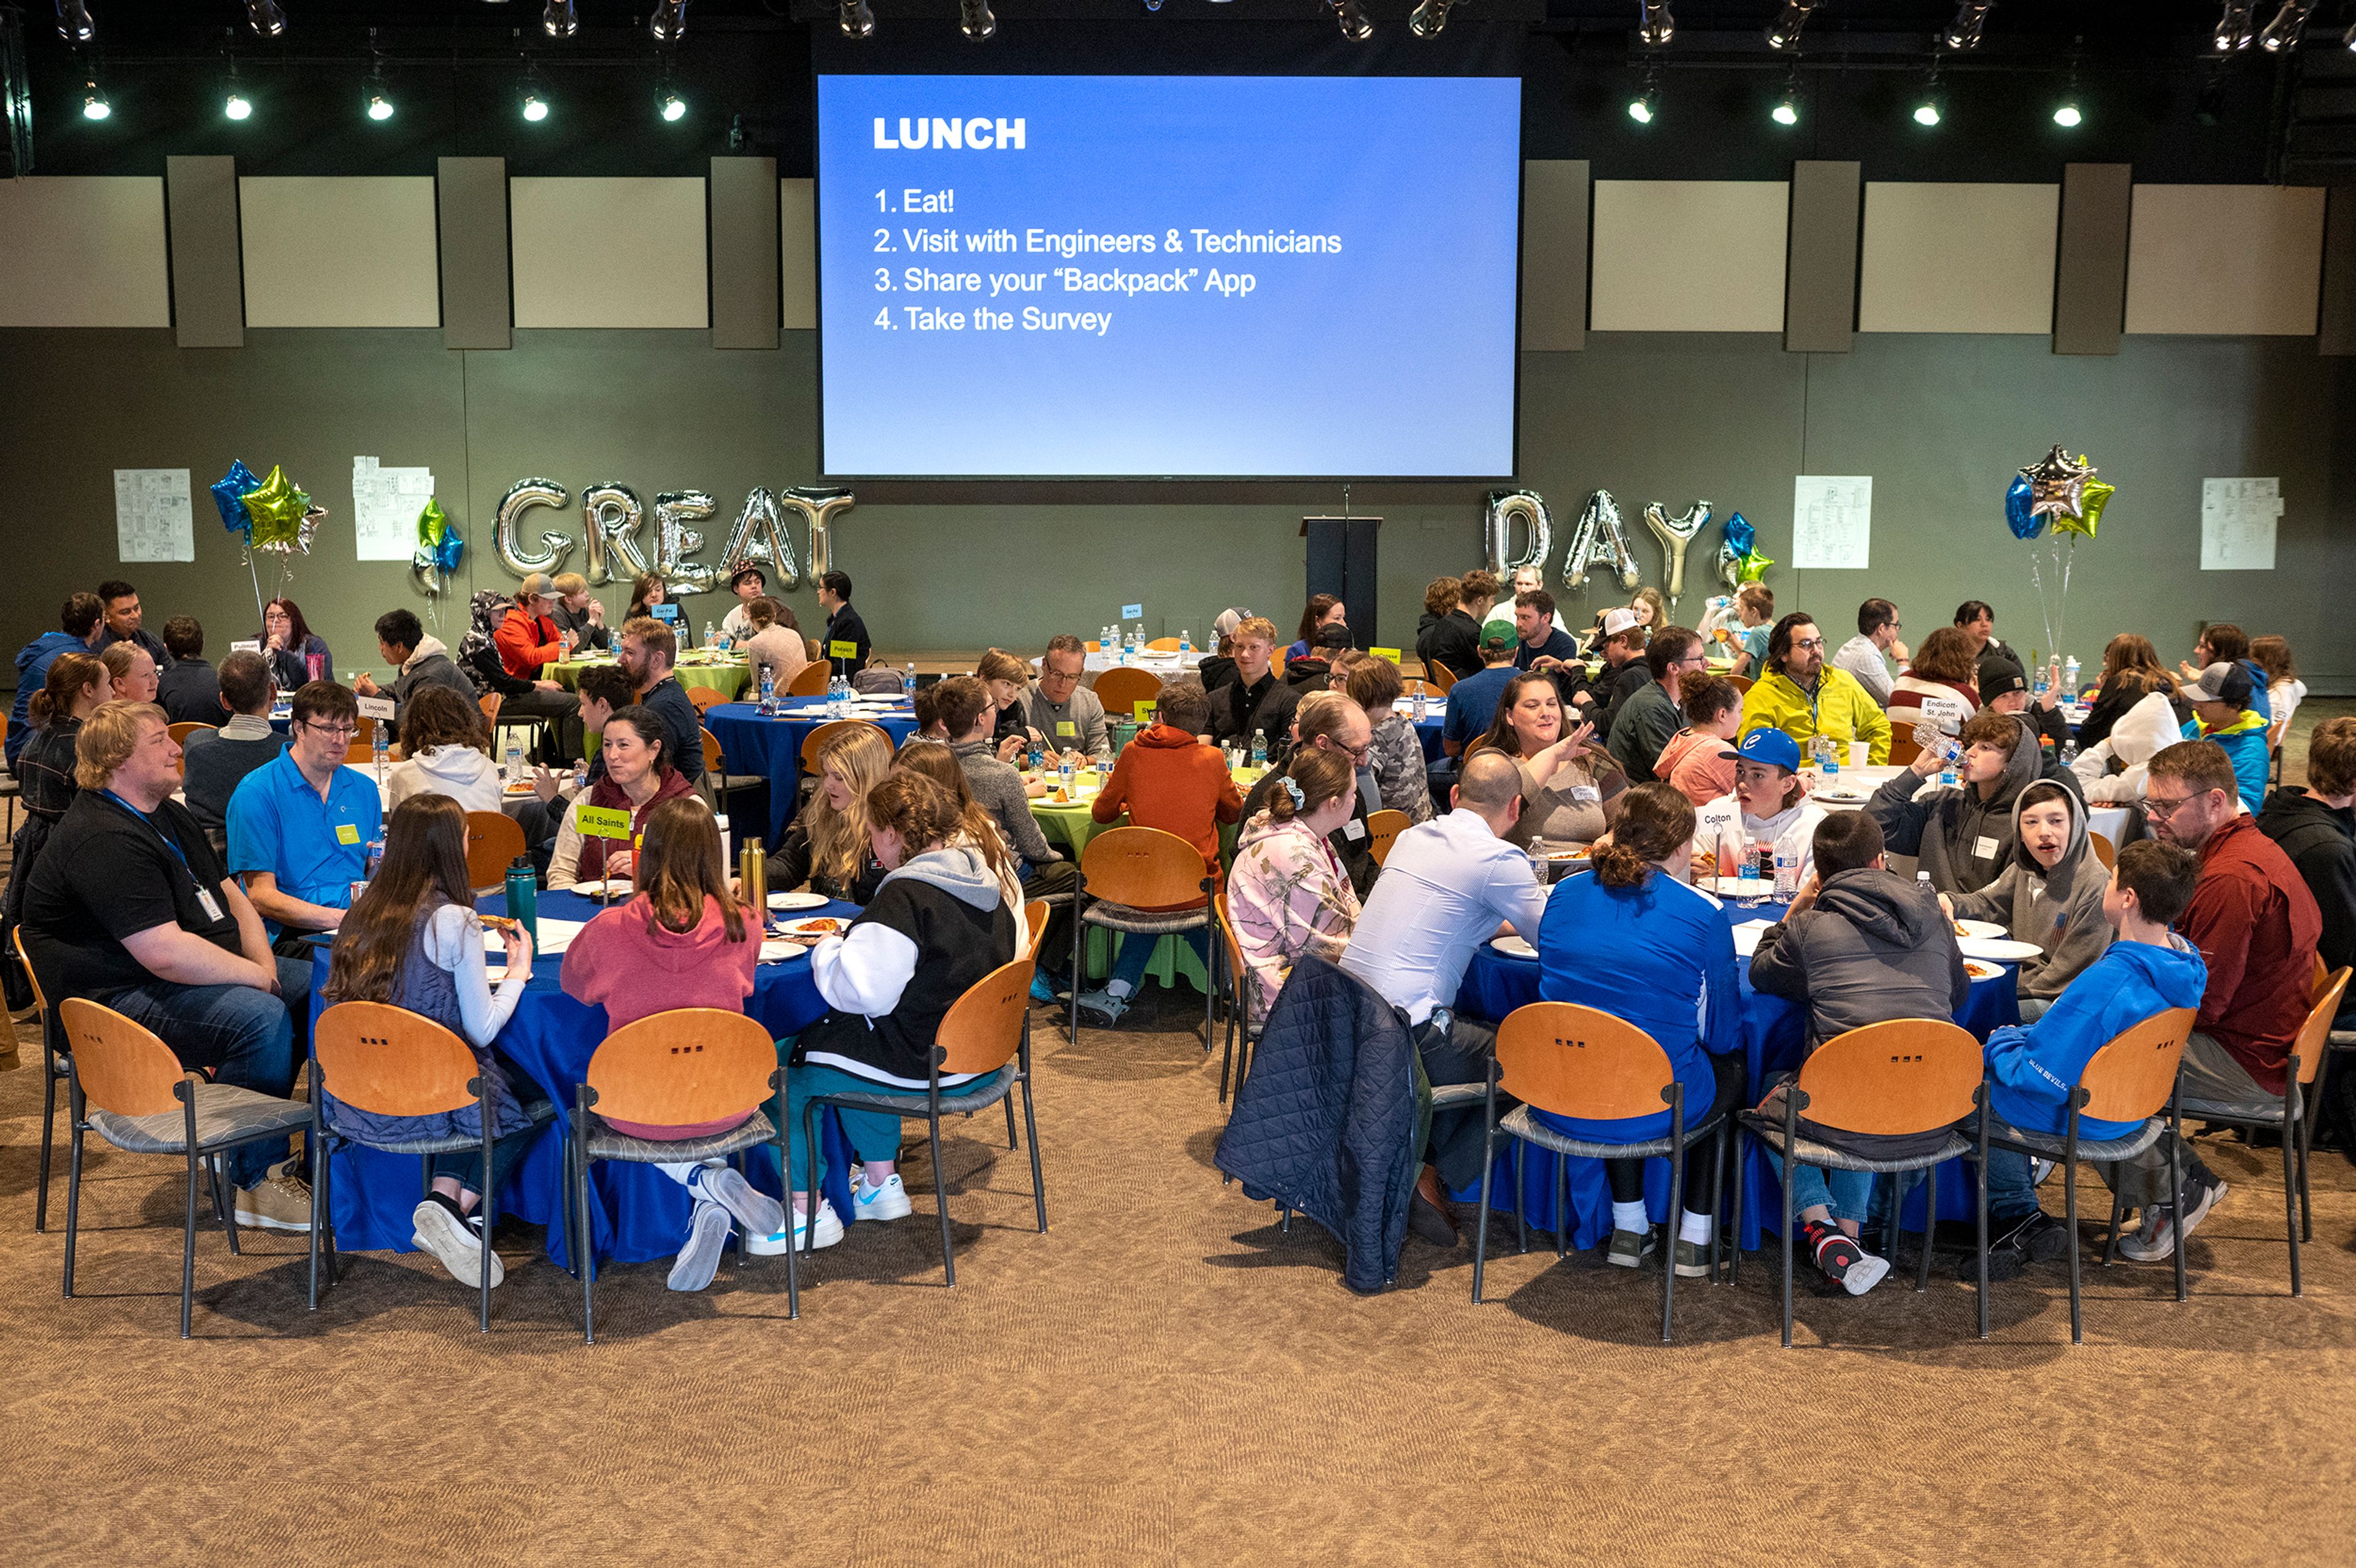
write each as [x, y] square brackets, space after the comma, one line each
[1940, 423]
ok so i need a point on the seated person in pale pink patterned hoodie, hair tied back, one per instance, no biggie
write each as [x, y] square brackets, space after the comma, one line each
[1288, 891]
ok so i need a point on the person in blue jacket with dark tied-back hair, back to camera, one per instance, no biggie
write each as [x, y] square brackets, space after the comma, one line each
[1634, 941]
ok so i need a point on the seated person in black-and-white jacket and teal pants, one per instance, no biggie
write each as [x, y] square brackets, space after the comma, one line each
[937, 926]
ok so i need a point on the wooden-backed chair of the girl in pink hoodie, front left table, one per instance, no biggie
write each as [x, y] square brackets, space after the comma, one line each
[673, 1070]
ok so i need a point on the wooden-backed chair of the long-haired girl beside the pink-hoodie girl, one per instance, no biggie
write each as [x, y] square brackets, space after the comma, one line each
[397, 1063]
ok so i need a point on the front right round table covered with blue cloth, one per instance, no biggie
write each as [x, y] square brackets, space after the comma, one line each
[1773, 1030]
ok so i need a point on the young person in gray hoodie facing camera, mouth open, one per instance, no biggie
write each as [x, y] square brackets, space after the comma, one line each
[2049, 893]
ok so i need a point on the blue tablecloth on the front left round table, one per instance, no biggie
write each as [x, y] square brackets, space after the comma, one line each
[635, 1211]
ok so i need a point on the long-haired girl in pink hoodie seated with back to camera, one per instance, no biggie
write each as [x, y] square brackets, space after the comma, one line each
[684, 941]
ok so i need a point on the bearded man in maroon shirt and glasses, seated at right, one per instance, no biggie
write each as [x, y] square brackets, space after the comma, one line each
[2256, 926]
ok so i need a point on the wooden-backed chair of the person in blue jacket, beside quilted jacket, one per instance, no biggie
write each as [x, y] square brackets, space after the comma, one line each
[1582, 1063]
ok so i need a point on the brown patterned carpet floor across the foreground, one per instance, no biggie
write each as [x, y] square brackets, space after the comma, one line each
[1163, 1378]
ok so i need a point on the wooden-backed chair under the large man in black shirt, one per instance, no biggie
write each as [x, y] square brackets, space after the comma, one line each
[126, 1087]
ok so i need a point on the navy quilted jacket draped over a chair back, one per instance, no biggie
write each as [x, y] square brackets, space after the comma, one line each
[1332, 1117]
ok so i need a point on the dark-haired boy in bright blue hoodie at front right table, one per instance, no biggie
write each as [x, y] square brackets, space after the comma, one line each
[2034, 1068]
